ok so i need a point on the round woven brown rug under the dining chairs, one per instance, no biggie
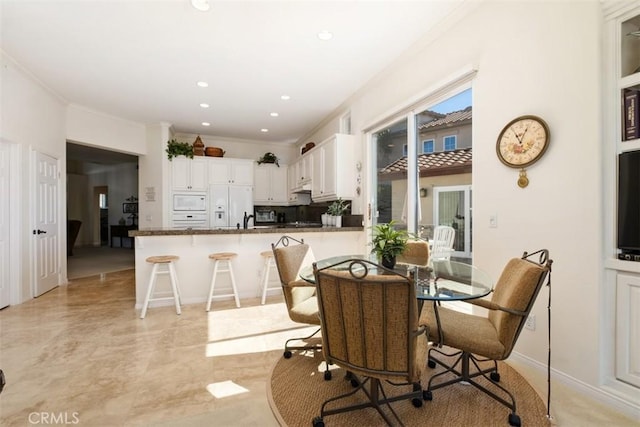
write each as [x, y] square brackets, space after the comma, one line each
[298, 389]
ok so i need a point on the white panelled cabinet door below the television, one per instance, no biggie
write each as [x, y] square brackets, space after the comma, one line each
[628, 328]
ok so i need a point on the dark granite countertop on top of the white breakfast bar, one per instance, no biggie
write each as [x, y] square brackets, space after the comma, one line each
[251, 230]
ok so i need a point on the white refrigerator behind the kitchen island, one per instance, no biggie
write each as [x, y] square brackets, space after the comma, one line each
[228, 204]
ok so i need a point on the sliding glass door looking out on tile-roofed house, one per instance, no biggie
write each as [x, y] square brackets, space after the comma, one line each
[415, 157]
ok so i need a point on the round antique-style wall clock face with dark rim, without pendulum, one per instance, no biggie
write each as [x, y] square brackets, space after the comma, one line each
[522, 141]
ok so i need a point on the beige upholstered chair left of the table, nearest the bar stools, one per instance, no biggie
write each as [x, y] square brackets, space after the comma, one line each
[290, 256]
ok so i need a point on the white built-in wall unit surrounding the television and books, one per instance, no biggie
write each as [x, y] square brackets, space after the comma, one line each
[622, 278]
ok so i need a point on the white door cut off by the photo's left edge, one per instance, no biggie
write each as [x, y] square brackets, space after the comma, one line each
[5, 263]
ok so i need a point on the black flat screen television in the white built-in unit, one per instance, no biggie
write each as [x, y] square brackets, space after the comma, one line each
[629, 202]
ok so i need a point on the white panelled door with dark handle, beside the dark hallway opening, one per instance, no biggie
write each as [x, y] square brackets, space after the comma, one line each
[46, 224]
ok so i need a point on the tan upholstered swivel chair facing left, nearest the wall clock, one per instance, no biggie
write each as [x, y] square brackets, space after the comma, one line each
[486, 338]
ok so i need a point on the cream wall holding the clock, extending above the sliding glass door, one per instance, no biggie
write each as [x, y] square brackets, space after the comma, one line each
[537, 58]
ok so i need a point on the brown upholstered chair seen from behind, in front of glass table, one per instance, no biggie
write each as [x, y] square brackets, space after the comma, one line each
[369, 318]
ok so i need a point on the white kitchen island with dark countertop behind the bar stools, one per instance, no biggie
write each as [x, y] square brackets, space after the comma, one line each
[194, 268]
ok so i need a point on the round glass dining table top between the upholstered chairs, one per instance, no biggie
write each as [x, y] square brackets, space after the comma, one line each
[442, 280]
